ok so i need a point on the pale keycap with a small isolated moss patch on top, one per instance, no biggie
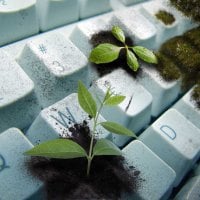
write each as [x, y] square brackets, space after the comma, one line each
[164, 31]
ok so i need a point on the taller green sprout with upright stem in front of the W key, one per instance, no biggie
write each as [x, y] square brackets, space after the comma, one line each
[68, 149]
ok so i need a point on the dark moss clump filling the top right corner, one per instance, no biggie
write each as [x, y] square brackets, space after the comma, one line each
[190, 8]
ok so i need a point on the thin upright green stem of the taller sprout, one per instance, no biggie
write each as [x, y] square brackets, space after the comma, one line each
[90, 156]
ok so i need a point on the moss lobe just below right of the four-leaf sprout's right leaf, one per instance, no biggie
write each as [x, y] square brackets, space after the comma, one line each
[167, 68]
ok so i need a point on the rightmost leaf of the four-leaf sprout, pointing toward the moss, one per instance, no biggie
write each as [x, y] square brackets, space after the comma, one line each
[145, 54]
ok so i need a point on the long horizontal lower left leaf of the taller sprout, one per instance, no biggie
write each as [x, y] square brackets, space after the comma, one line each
[58, 148]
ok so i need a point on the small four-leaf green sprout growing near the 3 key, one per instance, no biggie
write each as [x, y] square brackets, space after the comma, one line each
[106, 52]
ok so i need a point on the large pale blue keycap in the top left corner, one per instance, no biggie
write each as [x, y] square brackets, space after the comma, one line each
[15, 18]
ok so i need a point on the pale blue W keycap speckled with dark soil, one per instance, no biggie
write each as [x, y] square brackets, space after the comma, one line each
[56, 120]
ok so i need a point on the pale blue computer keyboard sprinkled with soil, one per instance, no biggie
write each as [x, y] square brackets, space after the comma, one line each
[44, 49]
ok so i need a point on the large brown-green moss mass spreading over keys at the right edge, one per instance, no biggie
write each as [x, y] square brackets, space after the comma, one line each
[180, 57]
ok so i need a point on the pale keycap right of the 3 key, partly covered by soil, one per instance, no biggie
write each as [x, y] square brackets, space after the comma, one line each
[83, 32]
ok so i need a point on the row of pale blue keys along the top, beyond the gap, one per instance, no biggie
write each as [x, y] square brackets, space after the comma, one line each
[15, 16]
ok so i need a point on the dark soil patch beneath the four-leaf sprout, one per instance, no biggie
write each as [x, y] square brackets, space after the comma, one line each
[107, 37]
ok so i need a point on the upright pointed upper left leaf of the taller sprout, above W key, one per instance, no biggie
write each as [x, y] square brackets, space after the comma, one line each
[86, 100]
